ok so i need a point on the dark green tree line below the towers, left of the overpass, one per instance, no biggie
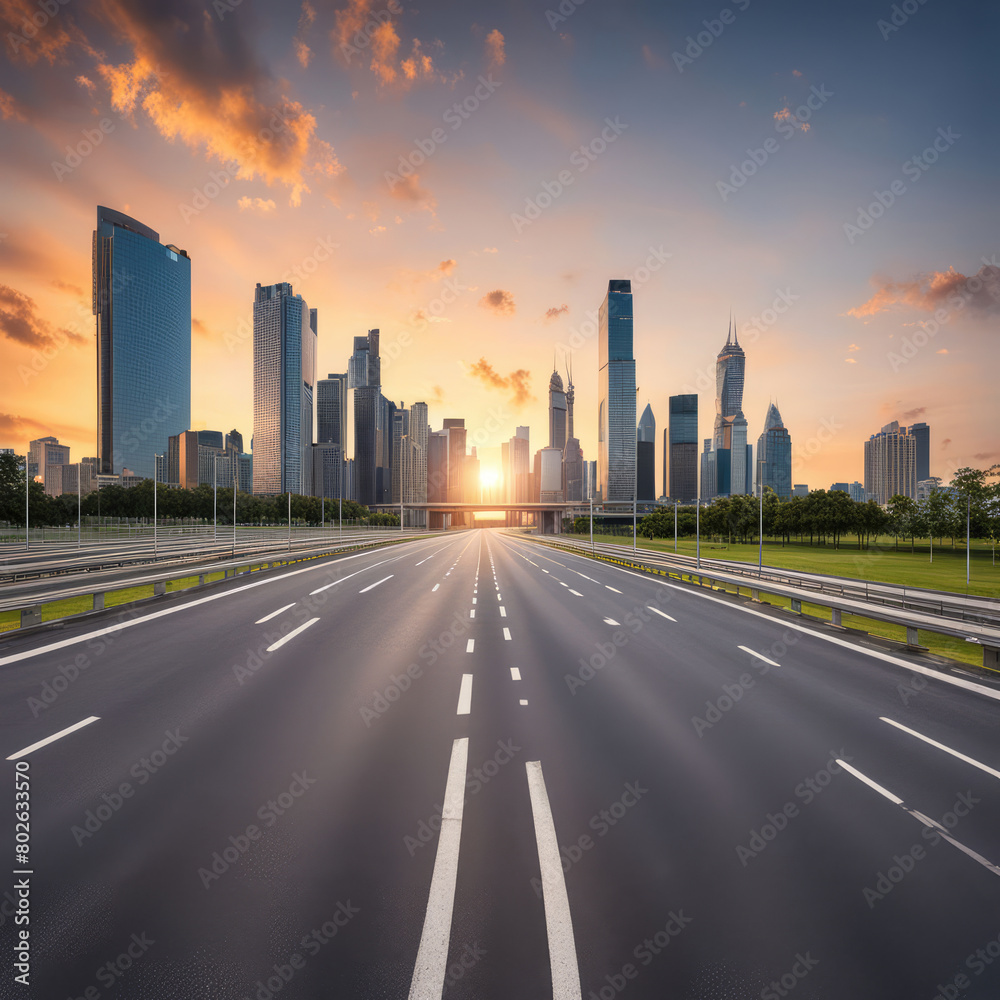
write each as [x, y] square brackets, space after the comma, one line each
[198, 504]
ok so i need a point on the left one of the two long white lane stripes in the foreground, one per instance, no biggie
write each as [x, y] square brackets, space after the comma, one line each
[432, 955]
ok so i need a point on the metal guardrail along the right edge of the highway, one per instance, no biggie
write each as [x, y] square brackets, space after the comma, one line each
[988, 636]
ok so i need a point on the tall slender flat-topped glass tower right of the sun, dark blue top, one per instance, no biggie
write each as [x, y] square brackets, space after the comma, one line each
[616, 396]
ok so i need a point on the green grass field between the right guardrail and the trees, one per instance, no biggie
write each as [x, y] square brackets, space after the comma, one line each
[882, 565]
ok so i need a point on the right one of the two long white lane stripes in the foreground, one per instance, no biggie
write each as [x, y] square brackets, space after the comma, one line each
[558, 921]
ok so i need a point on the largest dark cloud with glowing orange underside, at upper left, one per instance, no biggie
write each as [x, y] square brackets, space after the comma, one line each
[199, 81]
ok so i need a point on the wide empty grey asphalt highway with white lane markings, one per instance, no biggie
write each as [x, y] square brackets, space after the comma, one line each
[711, 844]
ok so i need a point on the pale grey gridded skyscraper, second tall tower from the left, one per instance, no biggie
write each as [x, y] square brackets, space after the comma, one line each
[284, 379]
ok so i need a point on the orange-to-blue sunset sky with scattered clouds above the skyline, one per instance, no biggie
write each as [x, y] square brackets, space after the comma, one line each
[410, 181]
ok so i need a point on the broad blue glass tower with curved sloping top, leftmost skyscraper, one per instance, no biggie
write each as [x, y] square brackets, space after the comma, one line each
[142, 301]
